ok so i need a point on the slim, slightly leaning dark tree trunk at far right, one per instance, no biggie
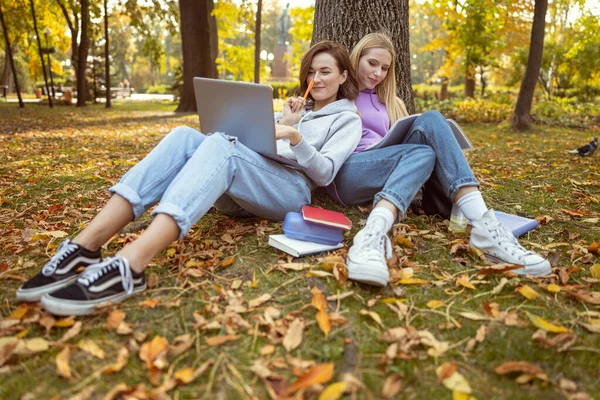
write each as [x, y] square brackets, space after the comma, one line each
[521, 119]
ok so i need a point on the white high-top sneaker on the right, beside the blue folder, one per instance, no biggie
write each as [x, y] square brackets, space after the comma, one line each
[499, 245]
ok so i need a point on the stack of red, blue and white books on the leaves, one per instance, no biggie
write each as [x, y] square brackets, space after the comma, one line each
[313, 231]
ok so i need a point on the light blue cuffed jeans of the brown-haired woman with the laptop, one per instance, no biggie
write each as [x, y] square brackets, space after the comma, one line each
[189, 172]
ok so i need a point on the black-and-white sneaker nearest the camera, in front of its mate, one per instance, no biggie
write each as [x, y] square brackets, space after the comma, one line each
[109, 281]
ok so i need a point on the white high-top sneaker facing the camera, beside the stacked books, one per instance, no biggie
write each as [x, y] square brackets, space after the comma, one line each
[366, 258]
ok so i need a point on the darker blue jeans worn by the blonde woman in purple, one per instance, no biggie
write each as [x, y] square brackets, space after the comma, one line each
[396, 173]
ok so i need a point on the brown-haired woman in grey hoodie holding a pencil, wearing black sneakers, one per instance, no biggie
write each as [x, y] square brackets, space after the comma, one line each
[188, 172]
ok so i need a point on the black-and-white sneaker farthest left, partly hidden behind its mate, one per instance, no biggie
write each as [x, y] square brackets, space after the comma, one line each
[62, 270]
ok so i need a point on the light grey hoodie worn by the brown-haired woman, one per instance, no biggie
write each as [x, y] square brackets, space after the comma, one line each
[329, 136]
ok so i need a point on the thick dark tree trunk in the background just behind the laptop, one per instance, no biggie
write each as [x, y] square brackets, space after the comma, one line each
[198, 33]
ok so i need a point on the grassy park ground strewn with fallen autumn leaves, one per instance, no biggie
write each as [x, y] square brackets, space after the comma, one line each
[57, 165]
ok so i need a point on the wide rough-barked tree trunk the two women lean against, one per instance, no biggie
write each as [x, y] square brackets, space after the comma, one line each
[347, 21]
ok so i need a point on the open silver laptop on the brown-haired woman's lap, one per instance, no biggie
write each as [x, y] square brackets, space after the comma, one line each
[240, 109]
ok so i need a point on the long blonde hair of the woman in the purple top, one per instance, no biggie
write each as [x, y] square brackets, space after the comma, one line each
[386, 90]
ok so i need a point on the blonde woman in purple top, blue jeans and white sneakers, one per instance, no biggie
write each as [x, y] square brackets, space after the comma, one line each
[391, 176]
